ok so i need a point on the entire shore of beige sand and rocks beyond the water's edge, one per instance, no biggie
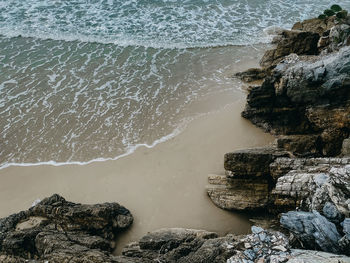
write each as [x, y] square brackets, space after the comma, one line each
[303, 177]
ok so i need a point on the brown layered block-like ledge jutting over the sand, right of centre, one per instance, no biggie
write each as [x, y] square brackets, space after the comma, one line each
[247, 182]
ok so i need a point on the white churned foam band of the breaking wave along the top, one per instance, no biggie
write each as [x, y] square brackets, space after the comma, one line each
[156, 23]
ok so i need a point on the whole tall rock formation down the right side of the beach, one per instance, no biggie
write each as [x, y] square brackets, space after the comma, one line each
[304, 99]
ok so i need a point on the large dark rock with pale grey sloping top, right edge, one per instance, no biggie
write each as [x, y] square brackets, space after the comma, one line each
[309, 97]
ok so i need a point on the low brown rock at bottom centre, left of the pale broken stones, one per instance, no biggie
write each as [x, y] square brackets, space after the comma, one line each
[182, 245]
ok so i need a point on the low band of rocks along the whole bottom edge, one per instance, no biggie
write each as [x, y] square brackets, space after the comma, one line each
[58, 231]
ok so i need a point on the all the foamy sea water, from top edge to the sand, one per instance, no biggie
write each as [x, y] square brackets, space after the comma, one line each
[91, 80]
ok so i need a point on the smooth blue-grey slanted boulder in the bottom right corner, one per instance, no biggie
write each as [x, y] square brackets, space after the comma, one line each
[312, 230]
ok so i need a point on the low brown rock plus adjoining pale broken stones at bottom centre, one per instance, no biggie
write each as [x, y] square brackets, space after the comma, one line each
[198, 246]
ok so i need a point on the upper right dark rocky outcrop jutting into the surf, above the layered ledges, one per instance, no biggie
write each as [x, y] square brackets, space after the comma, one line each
[306, 90]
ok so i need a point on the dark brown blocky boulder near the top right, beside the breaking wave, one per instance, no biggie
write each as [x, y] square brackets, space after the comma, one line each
[292, 41]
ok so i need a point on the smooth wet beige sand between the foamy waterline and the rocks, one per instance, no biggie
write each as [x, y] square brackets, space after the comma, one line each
[162, 187]
